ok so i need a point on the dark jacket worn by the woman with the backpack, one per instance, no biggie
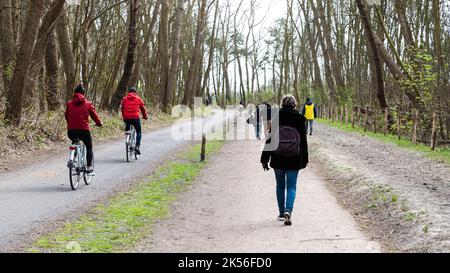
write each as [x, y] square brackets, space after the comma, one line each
[289, 117]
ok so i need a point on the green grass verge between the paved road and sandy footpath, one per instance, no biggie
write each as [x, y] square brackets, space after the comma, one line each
[128, 217]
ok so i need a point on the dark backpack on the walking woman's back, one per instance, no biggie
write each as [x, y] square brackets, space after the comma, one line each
[289, 142]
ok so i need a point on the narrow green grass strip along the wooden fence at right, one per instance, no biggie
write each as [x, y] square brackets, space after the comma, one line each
[439, 154]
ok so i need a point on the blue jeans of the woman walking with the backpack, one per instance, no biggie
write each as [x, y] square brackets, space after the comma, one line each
[286, 189]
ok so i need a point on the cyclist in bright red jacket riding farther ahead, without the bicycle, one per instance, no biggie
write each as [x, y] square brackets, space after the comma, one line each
[132, 107]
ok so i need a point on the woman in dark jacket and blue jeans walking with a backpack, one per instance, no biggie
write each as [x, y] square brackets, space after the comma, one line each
[290, 156]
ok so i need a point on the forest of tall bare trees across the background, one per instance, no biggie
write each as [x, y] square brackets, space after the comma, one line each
[391, 57]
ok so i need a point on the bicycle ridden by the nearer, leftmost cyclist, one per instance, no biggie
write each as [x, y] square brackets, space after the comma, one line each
[78, 165]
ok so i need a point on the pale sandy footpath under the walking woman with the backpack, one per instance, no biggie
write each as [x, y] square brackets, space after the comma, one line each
[232, 208]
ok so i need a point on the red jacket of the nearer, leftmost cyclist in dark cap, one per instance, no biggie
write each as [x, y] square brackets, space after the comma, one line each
[78, 111]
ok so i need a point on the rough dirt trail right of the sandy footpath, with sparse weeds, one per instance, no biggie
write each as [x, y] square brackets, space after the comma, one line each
[367, 169]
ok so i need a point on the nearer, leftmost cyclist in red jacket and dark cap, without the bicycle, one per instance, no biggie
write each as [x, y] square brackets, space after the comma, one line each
[78, 111]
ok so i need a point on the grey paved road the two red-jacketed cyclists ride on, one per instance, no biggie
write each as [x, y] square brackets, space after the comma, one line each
[38, 194]
